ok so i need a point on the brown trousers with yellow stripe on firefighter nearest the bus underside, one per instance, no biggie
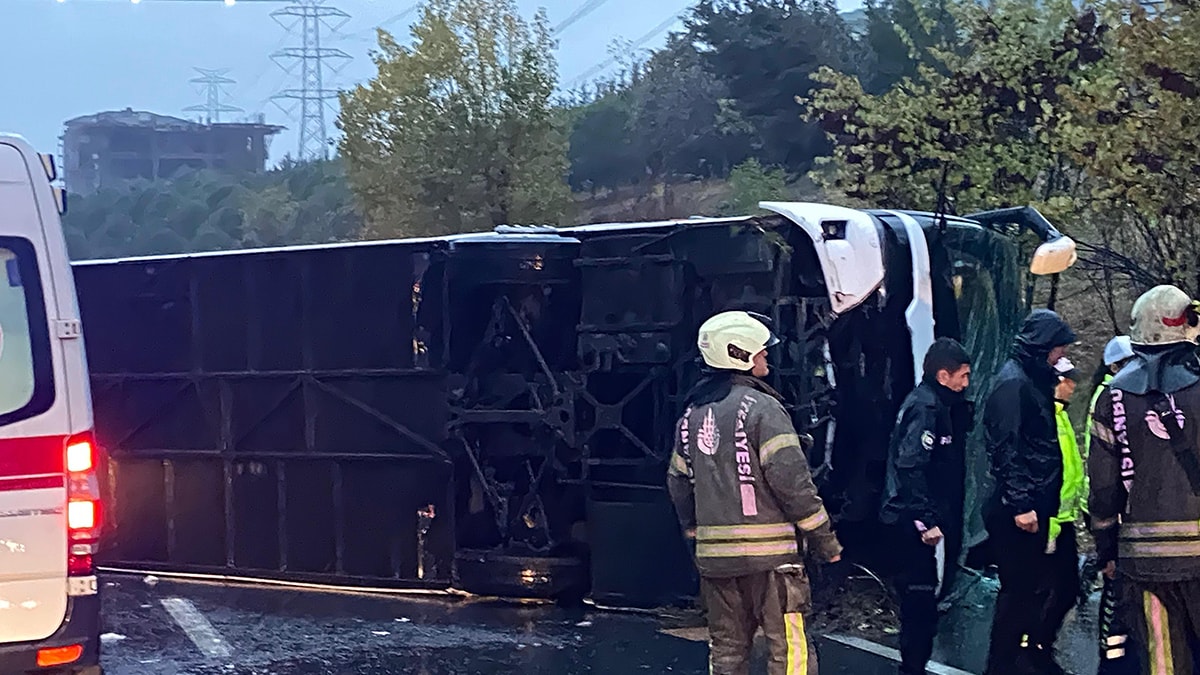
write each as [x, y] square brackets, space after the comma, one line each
[776, 601]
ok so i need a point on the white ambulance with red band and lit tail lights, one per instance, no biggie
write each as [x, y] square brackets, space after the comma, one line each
[50, 498]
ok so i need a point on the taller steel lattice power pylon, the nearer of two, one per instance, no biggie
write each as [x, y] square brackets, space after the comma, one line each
[308, 103]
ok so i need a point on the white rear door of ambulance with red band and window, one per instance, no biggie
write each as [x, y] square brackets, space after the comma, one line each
[35, 417]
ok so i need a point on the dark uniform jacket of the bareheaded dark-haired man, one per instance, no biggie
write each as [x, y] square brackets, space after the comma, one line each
[927, 462]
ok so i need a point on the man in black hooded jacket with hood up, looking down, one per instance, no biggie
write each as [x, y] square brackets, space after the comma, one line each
[1027, 463]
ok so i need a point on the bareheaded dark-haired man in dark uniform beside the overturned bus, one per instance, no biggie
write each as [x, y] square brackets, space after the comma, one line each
[925, 495]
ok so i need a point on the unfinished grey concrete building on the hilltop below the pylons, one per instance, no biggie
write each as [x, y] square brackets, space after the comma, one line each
[106, 150]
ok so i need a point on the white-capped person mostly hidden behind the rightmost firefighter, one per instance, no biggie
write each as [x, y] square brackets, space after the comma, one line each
[1118, 652]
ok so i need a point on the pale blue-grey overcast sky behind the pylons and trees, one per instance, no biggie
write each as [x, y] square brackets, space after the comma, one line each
[61, 59]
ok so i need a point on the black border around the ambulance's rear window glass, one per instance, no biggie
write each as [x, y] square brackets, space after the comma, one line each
[40, 344]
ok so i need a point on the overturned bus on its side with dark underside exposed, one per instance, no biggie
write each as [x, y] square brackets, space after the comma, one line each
[494, 413]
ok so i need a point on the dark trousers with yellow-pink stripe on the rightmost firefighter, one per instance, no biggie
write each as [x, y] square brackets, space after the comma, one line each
[1166, 622]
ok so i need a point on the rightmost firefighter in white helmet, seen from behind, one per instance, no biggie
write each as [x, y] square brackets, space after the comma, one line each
[1145, 481]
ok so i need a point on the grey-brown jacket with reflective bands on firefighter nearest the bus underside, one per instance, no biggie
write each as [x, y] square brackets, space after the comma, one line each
[739, 476]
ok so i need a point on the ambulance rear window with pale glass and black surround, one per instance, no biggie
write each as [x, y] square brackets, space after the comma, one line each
[27, 377]
